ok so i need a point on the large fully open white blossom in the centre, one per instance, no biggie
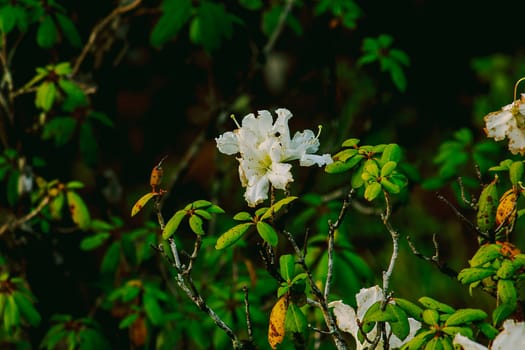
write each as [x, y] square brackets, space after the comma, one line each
[265, 148]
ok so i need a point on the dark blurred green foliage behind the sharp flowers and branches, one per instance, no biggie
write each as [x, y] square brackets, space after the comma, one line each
[95, 93]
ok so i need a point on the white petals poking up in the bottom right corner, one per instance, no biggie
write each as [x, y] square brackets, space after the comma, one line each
[511, 337]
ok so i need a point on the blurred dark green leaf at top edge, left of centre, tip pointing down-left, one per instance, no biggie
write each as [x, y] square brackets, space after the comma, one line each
[175, 14]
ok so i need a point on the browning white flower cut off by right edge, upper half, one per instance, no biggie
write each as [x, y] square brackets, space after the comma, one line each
[510, 123]
